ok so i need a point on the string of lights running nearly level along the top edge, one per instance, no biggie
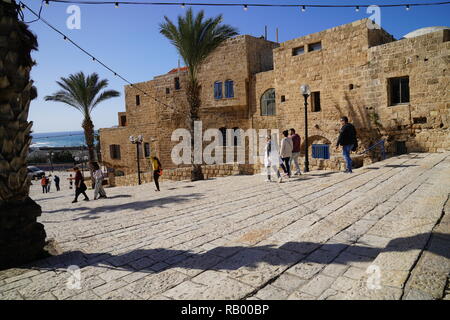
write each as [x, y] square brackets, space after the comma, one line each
[245, 6]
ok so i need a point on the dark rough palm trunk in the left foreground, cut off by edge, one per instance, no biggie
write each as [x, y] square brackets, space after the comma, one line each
[22, 238]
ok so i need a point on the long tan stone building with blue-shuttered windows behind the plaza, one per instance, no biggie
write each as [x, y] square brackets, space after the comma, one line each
[395, 90]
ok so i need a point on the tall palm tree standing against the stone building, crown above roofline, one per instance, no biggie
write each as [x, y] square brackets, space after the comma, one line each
[195, 39]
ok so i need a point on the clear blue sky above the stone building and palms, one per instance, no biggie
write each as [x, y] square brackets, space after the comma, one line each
[128, 40]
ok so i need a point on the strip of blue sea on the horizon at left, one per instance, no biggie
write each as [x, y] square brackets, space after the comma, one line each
[58, 139]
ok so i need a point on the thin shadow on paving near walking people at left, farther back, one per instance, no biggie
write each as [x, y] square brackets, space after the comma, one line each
[135, 205]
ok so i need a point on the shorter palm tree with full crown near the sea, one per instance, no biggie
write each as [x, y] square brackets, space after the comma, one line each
[83, 93]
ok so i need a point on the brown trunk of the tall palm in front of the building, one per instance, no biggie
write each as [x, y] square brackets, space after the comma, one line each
[193, 96]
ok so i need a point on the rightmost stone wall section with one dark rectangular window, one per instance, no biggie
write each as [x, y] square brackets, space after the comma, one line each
[425, 59]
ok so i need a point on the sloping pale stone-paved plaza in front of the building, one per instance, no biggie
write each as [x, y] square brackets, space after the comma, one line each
[382, 232]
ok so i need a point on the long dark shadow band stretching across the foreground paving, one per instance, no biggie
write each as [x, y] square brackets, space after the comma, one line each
[228, 258]
